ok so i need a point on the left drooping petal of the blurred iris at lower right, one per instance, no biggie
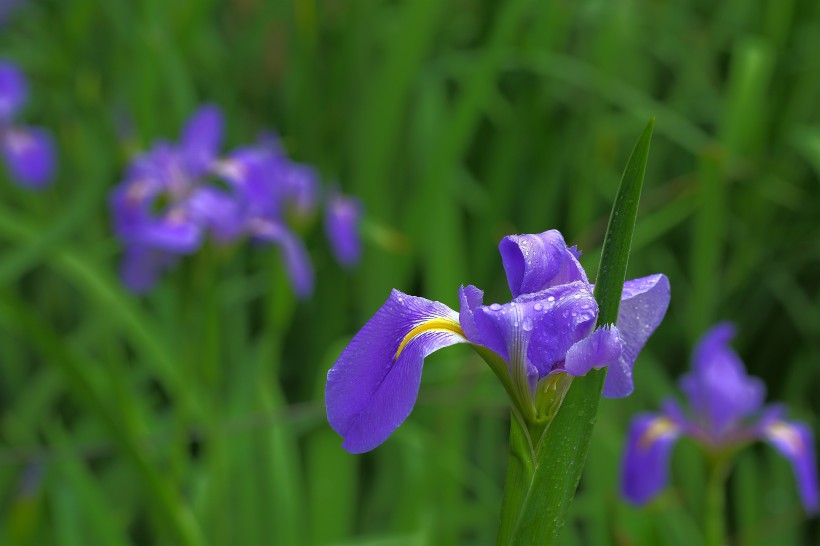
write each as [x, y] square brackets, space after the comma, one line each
[645, 466]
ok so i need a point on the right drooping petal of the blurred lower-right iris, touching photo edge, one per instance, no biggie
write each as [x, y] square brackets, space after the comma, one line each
[795, 442]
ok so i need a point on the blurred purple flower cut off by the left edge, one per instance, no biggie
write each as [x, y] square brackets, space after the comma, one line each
[28, 151]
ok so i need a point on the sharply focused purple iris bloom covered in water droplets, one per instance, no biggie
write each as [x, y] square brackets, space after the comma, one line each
[545, 334]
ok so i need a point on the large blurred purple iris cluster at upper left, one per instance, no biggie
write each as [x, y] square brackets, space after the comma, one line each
[170, 201]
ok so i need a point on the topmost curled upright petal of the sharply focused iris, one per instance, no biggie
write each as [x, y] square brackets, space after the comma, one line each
[536, 262]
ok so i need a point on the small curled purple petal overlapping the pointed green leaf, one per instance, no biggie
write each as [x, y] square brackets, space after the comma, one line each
[599, 350]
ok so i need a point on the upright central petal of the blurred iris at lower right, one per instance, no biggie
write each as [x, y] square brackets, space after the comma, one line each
[719, 390]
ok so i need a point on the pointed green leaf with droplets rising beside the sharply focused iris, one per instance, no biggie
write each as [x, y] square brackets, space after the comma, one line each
[545, 465]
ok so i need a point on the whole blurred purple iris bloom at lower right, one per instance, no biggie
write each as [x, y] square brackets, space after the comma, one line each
[727, 413]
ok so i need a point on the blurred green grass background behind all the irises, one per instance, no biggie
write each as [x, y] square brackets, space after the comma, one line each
[195, 415]
